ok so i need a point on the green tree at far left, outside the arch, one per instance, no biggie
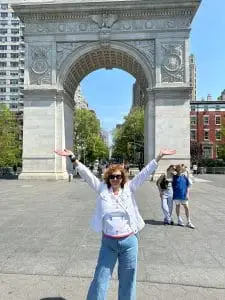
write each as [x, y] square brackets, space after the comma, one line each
[10, 147]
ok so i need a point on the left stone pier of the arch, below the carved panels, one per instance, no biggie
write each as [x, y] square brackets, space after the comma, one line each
[48, 124]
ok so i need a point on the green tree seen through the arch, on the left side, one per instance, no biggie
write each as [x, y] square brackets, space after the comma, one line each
[87, 140]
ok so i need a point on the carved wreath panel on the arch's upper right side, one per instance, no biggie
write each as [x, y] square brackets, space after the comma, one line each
[173, 62]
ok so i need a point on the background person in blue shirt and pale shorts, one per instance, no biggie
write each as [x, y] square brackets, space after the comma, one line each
[181, 185]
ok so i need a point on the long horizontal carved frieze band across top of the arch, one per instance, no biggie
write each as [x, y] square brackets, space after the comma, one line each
[96, 22]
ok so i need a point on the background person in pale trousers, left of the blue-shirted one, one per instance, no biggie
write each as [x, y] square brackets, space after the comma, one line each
[164, 184]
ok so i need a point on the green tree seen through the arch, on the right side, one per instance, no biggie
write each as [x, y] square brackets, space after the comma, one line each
[128, 139]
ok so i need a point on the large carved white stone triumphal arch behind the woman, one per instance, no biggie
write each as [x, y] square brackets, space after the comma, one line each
[66, 40]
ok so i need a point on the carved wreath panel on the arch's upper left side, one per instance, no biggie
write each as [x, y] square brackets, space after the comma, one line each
[40, 65]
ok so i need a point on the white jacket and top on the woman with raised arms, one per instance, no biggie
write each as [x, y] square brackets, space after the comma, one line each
[106, 212]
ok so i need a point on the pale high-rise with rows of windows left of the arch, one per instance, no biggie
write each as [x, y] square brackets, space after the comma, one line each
[11, 58]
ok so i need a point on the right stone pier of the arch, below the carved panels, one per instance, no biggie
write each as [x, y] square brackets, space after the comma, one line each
[167, 125]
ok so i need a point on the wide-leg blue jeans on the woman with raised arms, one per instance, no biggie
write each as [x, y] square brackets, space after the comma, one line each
[126, 251]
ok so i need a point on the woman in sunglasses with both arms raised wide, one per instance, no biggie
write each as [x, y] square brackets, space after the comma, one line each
[118, 219]
